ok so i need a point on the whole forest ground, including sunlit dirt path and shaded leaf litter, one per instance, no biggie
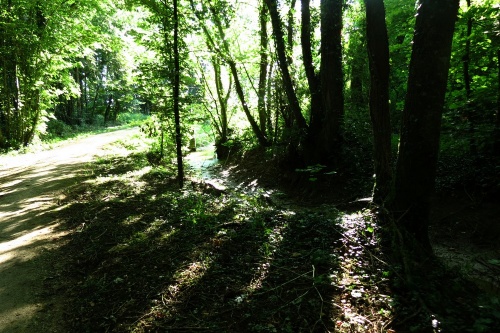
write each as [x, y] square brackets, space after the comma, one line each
[94, 239]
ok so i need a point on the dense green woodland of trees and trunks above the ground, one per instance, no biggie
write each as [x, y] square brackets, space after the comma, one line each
[399, 89]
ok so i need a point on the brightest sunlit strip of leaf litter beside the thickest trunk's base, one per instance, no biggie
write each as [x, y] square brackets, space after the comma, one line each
[363, 306]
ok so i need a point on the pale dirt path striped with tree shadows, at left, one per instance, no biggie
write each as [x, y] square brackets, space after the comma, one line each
[29, 189]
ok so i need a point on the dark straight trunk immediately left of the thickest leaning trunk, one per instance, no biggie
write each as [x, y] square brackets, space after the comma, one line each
[378, 55]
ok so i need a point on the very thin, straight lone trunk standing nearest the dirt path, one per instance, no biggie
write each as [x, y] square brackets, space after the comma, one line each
[176, 94]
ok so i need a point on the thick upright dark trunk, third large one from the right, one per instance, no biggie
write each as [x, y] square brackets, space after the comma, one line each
[331, 76]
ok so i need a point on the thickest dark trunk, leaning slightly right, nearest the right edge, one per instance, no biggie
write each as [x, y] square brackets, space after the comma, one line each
[419, 143]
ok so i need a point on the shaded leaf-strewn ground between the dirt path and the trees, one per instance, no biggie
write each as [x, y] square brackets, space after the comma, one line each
[144, 256]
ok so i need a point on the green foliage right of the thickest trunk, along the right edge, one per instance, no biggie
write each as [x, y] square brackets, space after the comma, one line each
[470, 116]
